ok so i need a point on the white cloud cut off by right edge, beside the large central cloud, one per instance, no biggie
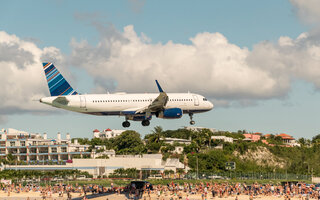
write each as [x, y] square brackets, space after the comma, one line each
[289, 59]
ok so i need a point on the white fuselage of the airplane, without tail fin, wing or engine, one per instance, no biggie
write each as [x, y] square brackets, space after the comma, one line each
[127, 104]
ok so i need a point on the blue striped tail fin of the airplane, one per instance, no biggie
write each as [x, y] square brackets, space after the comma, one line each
[58, 86]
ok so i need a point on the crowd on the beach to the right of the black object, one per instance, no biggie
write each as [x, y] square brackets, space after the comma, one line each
[286, 191]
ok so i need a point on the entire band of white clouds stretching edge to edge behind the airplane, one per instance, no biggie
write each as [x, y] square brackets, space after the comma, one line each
[126, 61]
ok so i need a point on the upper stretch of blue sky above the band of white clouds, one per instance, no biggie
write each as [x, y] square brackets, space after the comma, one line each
[53, 23]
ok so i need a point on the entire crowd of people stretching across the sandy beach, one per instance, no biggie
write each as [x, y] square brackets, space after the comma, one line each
[174, 191]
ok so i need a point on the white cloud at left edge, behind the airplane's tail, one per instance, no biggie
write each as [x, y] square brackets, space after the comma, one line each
[22, 78]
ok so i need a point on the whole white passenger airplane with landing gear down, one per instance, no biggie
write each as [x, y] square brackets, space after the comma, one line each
[136, 107]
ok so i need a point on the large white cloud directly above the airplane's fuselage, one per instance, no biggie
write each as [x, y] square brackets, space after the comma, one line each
[210, 65]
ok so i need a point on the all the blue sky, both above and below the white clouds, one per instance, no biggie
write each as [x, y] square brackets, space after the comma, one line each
[243, 23]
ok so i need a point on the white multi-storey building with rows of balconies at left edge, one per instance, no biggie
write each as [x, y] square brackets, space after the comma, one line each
[36, 148]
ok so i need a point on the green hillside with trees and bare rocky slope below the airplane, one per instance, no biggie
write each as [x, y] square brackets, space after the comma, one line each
[248, 156]
